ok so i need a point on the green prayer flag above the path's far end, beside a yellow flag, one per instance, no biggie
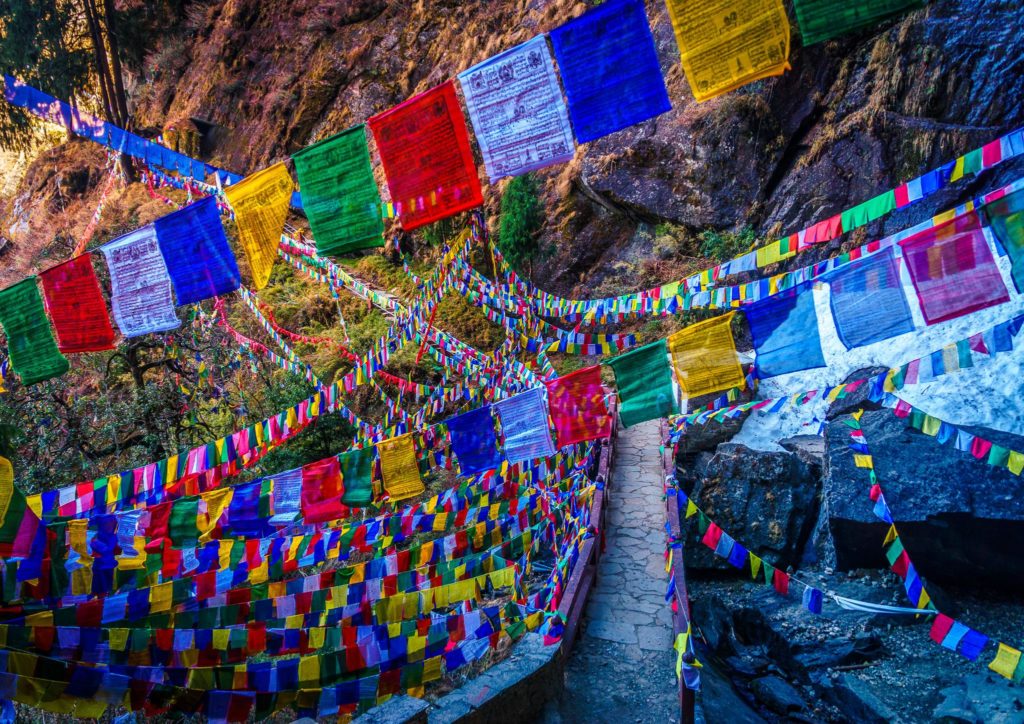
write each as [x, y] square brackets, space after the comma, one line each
[645, 380]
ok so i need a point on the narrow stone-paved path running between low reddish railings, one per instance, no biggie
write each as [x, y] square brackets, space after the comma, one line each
[622, 667]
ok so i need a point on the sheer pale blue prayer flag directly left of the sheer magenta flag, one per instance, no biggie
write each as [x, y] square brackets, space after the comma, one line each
[868, 301]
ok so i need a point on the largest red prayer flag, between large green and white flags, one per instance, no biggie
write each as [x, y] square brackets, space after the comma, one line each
[425, 152]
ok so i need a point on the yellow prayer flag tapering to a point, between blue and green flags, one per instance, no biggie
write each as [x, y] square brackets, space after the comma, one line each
[261, 204]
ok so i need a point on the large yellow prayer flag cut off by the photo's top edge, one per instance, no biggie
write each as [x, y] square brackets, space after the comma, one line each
[730, 44]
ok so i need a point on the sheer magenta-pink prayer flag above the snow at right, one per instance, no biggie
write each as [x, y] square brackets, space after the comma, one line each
[954, 271]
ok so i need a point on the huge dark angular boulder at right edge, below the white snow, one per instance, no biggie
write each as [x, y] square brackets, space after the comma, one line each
[961, 520]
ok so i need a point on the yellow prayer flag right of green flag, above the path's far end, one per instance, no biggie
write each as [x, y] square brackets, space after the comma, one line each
[705, 359]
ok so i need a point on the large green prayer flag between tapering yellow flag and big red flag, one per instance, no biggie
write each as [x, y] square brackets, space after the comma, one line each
[339, 195]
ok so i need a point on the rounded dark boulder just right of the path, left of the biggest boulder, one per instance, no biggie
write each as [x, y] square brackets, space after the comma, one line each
[767, 501]
